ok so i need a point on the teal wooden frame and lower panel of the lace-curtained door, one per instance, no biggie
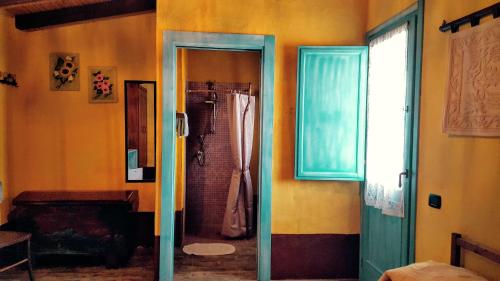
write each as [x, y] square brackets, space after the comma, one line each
[388, 242]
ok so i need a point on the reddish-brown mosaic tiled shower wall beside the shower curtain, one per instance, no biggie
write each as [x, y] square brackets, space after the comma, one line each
[207, 186]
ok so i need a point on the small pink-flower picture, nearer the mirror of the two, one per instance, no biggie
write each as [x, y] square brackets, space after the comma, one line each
[102, 85]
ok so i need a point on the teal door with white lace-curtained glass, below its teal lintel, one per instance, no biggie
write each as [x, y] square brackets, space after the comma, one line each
[387, 213]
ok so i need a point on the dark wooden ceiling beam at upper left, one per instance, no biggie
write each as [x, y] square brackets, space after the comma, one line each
[82, 13]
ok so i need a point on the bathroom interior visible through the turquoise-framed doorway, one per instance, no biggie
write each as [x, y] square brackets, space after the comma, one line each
[216, 201]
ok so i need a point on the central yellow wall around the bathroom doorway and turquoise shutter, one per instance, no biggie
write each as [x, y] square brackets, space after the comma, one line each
[297, 206]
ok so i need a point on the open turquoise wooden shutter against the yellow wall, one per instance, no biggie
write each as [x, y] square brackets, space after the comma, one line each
[331, 113]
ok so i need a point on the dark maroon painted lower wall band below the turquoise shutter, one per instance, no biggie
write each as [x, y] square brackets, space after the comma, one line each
[314, 256]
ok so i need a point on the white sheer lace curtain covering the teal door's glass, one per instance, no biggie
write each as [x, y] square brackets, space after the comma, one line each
[386, 121]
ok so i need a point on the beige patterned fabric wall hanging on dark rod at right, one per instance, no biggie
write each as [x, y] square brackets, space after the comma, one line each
[473, 96]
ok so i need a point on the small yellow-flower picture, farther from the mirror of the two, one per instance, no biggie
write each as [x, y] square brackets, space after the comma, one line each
[64, 72]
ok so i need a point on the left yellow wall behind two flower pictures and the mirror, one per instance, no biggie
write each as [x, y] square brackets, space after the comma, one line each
[58, 140]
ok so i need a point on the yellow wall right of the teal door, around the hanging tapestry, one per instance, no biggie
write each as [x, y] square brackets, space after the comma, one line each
[463, 170]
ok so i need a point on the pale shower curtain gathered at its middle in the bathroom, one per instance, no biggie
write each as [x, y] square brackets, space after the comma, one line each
[238, 215]
